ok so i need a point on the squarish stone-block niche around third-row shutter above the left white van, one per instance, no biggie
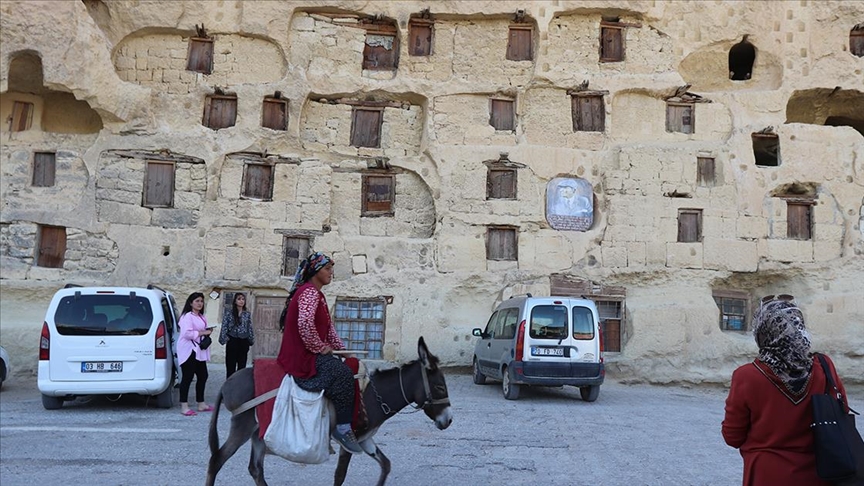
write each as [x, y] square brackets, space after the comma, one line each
[123, 176]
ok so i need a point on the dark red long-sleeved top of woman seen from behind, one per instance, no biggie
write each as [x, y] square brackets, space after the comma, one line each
[772, 433]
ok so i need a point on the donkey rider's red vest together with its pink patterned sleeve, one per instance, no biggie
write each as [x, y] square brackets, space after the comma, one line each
[308, 330]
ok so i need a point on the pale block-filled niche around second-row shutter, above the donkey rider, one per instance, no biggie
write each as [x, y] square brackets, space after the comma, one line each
[326, 126]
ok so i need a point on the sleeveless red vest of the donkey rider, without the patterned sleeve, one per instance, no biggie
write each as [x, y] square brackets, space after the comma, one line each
[294, 356]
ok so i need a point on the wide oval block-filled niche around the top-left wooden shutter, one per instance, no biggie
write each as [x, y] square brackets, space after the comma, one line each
[159, 60]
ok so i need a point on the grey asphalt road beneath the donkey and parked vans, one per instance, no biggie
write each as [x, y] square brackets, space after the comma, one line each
[632, 435]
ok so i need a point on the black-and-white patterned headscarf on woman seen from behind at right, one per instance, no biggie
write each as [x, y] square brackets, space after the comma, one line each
[784, 343]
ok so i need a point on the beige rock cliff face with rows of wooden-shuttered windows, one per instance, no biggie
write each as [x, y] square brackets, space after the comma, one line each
[208, 145]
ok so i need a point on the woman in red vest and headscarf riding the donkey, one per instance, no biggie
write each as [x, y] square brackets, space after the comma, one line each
[308, 342]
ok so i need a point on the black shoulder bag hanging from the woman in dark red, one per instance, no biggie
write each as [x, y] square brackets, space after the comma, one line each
[838, 446]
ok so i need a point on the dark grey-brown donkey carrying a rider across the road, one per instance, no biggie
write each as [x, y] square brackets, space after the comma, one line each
[419, 383]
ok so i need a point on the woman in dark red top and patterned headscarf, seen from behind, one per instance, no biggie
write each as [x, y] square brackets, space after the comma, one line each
[768, 411]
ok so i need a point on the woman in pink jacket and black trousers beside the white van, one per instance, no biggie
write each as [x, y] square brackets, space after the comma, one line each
[193, 359]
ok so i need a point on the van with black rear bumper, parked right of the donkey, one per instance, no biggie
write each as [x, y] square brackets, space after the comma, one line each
[543, 341]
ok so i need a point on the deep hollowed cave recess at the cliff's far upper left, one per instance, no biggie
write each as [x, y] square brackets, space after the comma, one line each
[45, 110]
